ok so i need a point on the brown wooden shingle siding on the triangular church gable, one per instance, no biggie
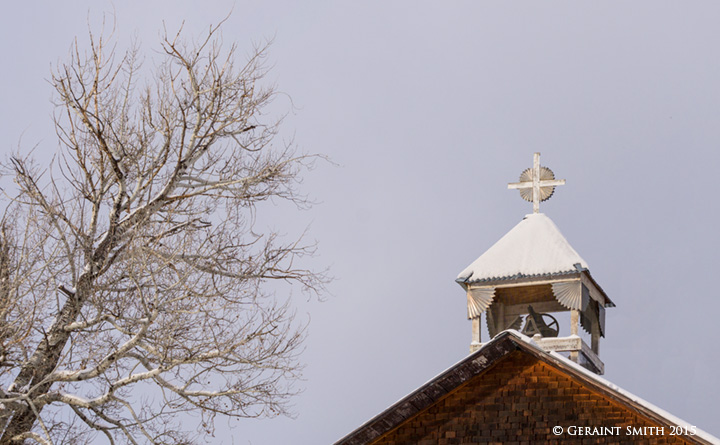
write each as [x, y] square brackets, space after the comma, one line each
[518, 401]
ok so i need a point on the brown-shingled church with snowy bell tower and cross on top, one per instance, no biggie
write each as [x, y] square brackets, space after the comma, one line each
[526, 384]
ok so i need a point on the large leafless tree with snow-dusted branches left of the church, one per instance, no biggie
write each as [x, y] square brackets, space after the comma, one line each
[132, 278]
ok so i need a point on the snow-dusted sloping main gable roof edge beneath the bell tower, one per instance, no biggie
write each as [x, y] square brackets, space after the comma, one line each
[480, 361]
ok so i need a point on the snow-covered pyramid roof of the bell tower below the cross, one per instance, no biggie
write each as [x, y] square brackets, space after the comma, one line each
[534, 247]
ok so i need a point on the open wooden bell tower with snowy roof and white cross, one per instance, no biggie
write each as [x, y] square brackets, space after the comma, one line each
[530, 276]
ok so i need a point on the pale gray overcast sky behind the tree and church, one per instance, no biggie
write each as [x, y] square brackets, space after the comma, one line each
[430, 109]
